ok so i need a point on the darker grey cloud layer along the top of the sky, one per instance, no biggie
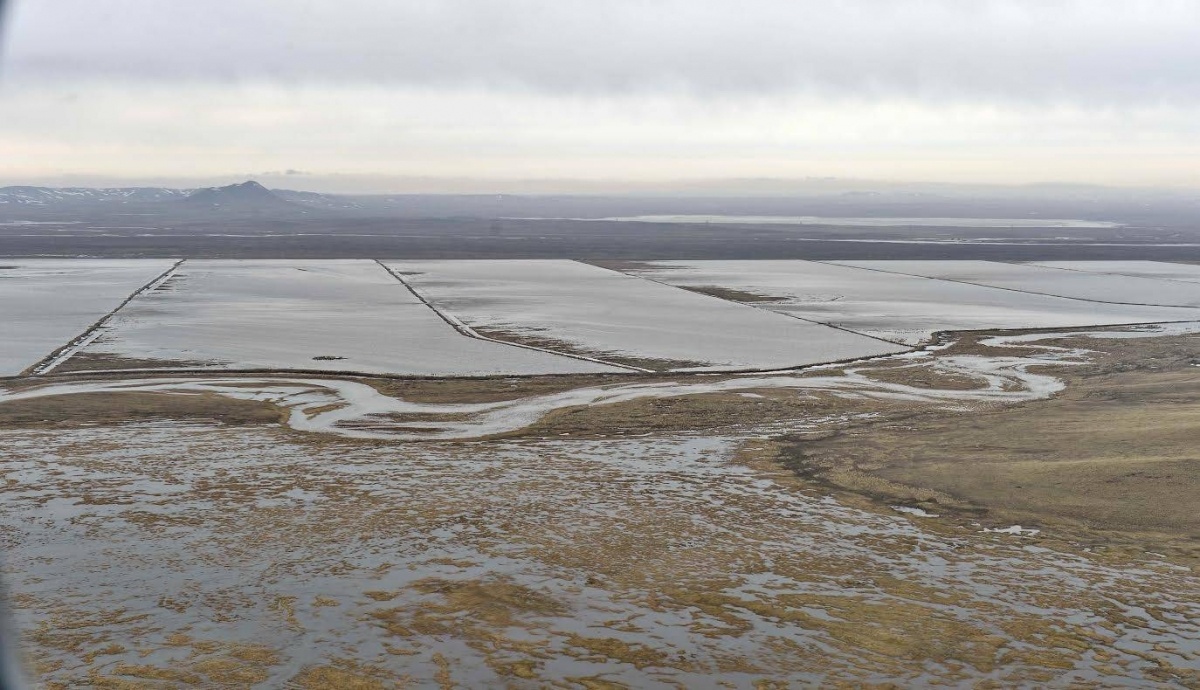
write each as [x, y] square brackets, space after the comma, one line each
[1041, 51]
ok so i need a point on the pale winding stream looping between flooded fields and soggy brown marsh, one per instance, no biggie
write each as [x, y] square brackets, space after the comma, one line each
[355, 410]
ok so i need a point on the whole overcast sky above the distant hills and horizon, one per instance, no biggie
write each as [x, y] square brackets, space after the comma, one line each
[607, 95]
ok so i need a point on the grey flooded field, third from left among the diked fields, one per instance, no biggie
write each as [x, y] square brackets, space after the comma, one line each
[602, 311]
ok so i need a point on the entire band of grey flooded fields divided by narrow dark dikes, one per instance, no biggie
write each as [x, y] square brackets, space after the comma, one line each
[485, 319]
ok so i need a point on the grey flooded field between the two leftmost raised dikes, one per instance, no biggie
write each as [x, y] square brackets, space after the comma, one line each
[296, 315]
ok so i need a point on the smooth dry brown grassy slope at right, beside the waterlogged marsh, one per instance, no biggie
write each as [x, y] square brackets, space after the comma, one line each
[1114, 454]
